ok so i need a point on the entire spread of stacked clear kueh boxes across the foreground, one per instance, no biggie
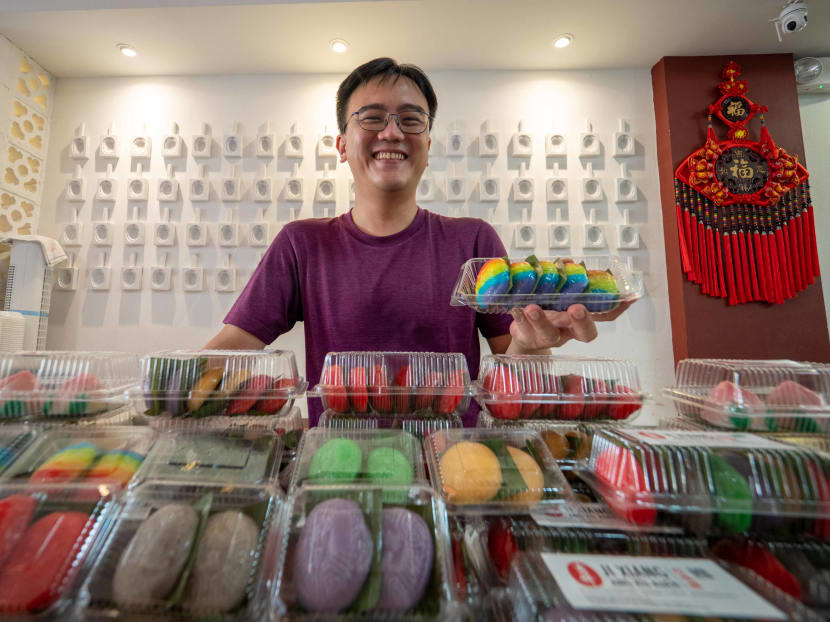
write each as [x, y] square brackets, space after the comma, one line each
[554, 508]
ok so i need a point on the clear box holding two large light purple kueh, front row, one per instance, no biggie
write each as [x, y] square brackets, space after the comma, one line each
[332, 564]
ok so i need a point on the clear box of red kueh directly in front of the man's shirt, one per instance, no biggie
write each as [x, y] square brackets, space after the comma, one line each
[384, 383]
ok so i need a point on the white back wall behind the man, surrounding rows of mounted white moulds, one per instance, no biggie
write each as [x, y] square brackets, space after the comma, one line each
[549, 101]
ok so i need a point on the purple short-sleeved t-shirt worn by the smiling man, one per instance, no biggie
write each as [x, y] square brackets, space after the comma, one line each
[355, 291]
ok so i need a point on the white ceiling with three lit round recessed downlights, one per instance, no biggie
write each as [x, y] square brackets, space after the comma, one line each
[214, 37]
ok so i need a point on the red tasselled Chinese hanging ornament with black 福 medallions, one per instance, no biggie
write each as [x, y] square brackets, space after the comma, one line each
[744, 211]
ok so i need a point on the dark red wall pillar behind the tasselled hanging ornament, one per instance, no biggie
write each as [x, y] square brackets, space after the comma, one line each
[703, 326]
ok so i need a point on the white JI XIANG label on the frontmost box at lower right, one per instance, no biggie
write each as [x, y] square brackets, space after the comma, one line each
[683, 586]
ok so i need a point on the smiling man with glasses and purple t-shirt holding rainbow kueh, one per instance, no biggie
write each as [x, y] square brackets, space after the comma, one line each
[380, 276]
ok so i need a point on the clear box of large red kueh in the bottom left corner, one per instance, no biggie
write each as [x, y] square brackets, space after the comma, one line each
[51, 534]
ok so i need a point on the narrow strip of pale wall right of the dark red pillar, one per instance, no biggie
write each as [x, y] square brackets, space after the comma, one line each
[815, 123]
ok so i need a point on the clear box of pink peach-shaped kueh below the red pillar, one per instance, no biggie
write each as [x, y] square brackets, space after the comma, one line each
[763, 396]
